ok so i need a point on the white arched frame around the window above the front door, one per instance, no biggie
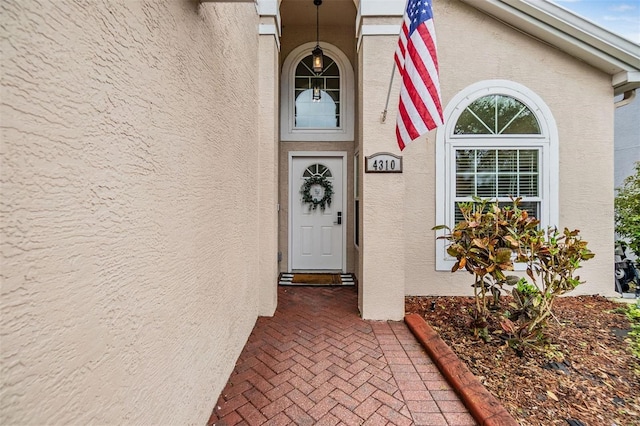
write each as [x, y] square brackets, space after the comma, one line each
[288, 131]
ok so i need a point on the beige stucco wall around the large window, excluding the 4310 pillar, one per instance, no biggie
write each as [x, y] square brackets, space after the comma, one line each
[474, 47]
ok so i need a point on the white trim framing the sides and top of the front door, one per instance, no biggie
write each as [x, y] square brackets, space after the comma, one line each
[341, 154]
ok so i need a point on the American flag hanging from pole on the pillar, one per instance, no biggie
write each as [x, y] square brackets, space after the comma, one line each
[420, 106]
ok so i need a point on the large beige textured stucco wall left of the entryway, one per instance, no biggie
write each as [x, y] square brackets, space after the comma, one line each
[129, 208]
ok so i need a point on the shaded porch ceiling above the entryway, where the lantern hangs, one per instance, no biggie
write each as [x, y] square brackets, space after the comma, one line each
[331, 12]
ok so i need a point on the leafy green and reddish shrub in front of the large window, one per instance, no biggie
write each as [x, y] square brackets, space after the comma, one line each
[486, 242]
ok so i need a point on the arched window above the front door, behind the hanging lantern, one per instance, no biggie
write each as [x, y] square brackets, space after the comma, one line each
[317, 107]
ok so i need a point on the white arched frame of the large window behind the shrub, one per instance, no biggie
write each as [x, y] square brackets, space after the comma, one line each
[447, 142]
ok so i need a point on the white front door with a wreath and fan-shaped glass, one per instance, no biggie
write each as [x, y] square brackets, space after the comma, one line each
[316, 235]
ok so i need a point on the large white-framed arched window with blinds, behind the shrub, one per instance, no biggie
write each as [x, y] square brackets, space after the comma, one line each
[499, 141]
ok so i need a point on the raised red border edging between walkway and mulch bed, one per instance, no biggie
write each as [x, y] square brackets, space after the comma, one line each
[483, 406]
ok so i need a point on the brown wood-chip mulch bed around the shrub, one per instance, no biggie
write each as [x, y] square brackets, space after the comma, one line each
[586, 374]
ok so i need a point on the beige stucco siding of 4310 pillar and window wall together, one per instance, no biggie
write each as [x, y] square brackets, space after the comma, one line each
[398, 250]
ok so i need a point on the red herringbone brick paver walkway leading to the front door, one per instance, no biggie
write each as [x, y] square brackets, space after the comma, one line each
[316, 362]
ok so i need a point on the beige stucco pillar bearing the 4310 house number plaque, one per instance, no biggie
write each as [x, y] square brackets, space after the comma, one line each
[383, 244]
